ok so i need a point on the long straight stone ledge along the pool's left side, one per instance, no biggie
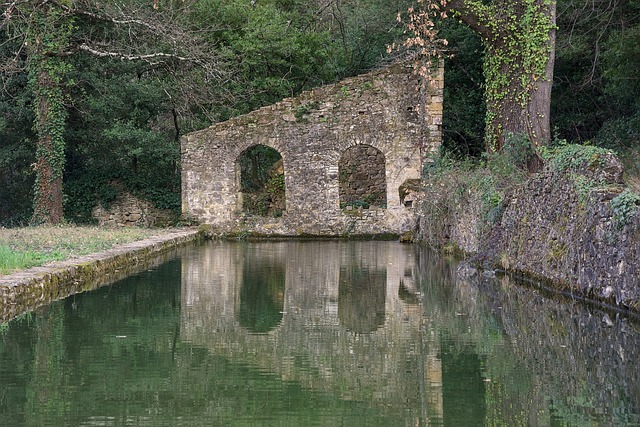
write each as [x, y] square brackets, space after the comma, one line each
[29, 289]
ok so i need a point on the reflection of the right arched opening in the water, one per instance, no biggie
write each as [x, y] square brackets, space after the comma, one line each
[361, 298]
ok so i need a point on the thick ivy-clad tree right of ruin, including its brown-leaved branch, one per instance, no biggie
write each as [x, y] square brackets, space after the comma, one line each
[519, 40]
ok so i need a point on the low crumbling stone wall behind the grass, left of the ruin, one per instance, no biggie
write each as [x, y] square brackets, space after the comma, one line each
[128, 210]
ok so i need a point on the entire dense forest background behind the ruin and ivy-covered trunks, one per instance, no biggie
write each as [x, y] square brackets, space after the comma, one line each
[140, 75]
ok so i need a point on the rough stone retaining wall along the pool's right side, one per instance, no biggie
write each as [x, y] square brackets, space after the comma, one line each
[552, 229]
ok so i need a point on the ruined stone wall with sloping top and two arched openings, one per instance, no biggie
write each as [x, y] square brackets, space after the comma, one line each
[391, 110]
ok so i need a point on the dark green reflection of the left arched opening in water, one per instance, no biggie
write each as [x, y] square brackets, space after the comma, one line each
[261, 296]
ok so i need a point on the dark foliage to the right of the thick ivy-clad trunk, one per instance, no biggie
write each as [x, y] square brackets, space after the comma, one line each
[596, 87]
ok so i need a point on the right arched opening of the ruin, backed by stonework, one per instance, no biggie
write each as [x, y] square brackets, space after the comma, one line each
[362, 181]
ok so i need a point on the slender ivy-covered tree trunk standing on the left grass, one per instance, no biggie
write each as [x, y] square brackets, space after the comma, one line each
[46, 69]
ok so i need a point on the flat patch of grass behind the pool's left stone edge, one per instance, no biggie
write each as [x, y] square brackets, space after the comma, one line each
[21, 248]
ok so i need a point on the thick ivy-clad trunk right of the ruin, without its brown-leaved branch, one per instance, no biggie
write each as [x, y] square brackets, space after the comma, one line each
[519, 39]
